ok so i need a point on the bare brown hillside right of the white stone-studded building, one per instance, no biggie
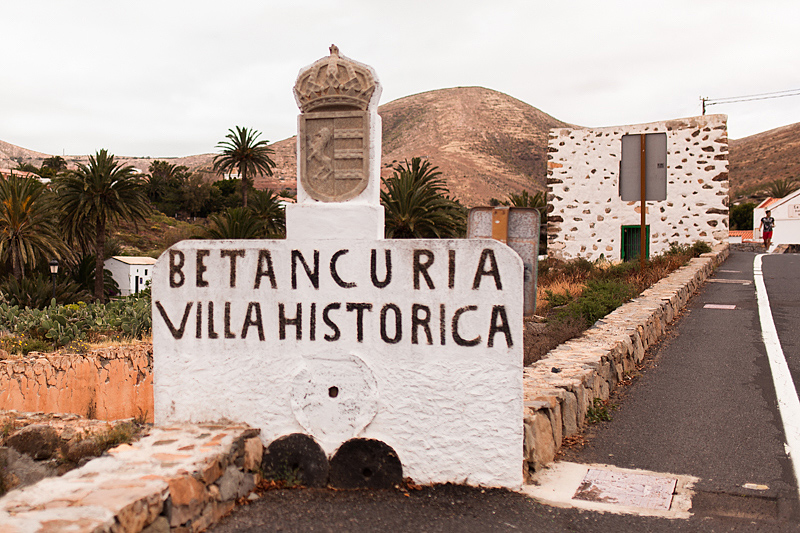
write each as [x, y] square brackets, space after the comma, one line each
[764, 157]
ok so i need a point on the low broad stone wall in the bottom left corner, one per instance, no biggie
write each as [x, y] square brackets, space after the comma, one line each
[177, 479]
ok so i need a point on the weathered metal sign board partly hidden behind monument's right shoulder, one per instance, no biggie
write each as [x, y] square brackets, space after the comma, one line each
[518, 227]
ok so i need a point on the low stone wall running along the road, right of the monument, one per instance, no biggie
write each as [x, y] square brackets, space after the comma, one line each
[560, 388]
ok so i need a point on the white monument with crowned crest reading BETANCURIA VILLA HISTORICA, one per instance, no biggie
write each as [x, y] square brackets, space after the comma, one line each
[339, 334]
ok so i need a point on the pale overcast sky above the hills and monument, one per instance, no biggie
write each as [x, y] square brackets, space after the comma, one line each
[170, 77]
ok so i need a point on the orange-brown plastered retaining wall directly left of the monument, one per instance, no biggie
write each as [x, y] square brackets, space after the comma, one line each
[108, 383]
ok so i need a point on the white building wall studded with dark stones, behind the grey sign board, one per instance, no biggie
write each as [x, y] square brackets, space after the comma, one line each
[589, 218]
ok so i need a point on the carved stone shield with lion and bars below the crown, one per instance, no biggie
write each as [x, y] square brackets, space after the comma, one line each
[334, 156]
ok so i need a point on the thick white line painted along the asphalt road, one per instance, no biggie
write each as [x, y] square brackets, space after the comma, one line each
[788, 402]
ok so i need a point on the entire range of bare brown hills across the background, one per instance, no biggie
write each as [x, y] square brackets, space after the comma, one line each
[486, 144]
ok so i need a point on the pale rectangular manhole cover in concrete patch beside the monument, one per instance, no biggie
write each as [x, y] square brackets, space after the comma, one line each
[635, 490]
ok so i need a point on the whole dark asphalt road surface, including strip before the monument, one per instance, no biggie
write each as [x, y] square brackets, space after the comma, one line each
[702, 405]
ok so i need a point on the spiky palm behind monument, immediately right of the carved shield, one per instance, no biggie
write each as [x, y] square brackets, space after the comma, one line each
[418, 205]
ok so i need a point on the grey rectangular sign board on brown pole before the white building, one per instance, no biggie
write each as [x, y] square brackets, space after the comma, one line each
[630, 167]
